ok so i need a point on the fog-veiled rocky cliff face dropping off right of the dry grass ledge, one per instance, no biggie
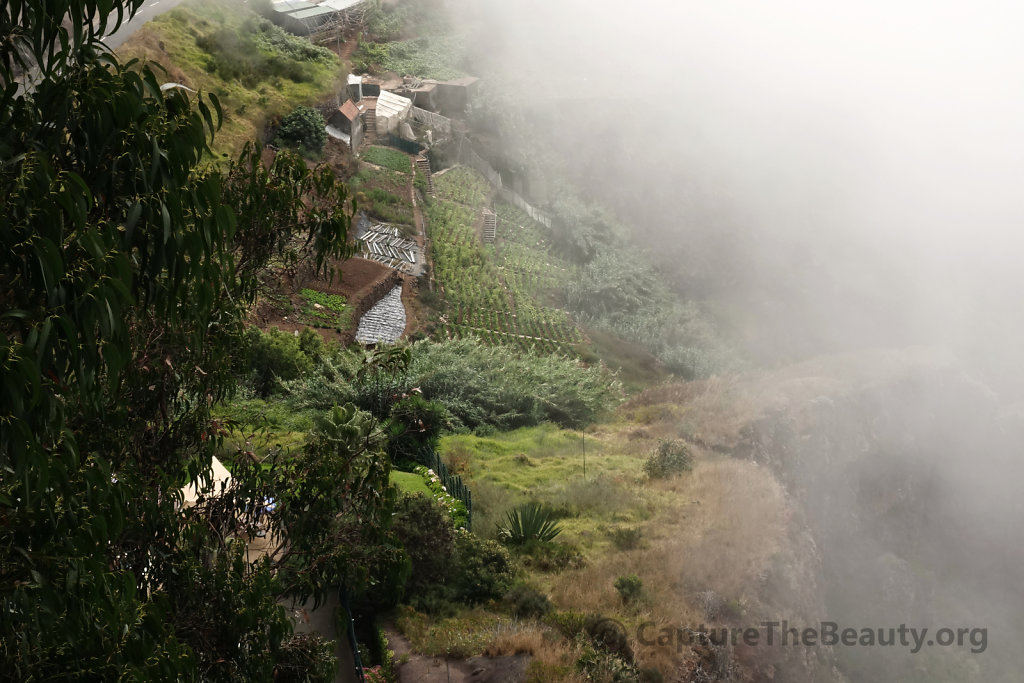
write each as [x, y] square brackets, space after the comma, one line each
[903, 473]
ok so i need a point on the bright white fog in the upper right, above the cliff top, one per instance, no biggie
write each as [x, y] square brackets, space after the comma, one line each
[842, 175]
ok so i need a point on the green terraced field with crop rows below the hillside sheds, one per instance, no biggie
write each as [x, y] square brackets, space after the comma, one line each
[498, 293]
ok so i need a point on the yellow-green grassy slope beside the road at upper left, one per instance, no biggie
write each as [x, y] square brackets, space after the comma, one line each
[259, 71]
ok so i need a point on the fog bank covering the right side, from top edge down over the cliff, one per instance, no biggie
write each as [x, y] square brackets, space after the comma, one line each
[828, 178]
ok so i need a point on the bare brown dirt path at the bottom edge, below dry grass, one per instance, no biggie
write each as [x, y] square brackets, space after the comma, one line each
[413, 668]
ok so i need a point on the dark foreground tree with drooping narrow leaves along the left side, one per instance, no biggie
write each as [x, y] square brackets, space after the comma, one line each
[127, 266]
